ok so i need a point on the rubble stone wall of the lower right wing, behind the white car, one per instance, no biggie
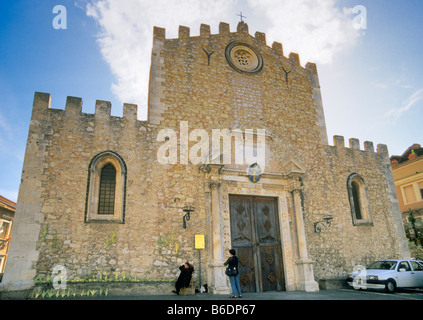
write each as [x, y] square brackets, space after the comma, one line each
[340, 247]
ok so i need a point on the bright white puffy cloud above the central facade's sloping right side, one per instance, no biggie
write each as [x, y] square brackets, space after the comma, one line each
[316, 29]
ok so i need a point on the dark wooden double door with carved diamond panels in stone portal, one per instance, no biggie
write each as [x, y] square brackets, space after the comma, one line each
[255, 236]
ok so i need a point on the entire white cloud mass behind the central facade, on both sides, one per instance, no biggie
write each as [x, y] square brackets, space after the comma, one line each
[316, 29]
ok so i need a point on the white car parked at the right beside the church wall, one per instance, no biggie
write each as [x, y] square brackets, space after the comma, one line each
[388, 275]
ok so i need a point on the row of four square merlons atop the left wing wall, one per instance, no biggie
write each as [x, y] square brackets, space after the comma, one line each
[73, 107]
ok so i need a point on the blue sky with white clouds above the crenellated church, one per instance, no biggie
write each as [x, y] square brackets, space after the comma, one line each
[368, 54]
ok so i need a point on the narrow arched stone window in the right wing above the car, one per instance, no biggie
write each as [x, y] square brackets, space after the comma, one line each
[359, 200]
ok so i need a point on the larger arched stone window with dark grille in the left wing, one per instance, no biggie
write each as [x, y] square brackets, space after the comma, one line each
[106, 190]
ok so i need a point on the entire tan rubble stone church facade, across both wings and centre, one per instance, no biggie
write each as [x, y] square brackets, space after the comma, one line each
[302, 170]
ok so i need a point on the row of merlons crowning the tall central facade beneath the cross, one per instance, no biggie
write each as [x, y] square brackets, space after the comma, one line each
[184, 34]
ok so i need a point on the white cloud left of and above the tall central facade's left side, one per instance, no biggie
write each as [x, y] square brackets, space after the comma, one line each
[127, 34]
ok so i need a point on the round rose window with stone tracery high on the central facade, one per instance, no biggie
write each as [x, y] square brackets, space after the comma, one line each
[243, 58]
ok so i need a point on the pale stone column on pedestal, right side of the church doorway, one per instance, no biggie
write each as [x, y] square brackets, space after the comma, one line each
[304, 264]
